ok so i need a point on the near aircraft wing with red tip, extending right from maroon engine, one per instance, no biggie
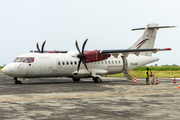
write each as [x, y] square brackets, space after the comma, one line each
[126, 52]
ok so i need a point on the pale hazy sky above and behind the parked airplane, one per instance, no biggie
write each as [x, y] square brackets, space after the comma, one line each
[106, 23]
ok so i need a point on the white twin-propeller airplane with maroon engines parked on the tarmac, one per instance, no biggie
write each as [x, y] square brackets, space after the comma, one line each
[39, 64]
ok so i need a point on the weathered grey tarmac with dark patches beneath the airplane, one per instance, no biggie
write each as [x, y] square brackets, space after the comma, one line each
[112, 99]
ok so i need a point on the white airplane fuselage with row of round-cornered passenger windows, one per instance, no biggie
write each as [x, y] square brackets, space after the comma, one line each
[65, 65]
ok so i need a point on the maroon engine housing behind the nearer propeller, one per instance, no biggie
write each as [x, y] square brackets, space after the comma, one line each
[95, 55]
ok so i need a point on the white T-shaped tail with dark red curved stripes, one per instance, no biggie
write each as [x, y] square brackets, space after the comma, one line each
[147, 40]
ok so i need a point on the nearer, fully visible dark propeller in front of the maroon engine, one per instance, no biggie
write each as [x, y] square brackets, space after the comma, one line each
[81, 55]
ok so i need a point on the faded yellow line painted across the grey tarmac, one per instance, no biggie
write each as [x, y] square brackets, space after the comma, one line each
[89, 95]
